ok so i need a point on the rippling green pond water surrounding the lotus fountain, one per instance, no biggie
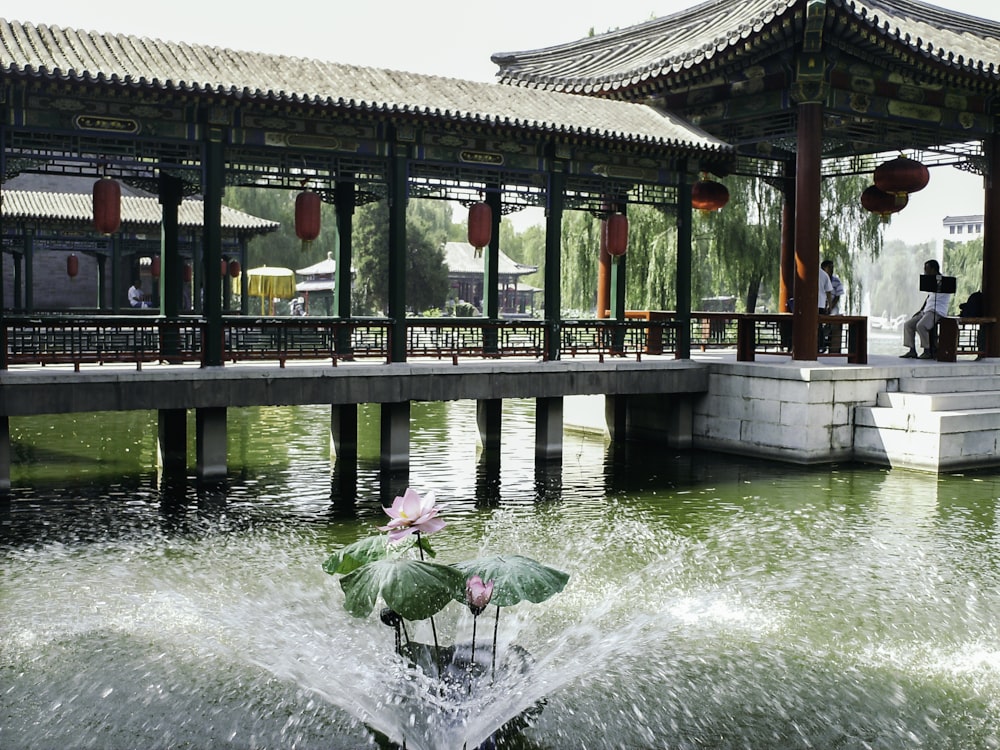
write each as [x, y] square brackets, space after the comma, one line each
[713, 602]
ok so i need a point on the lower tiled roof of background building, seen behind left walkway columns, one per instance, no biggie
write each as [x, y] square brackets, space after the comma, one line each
[136, 211]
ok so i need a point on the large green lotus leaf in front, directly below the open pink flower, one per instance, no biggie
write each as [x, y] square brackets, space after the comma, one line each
[416, 589]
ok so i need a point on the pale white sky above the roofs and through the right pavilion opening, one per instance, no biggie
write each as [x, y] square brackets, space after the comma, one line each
[437, 37]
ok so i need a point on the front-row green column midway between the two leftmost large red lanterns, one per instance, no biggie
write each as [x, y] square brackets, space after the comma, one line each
[213, 188]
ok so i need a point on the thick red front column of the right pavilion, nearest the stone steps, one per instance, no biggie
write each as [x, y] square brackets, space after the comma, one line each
[807, 184]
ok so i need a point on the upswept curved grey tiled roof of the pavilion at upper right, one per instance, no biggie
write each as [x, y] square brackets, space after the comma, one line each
[668, 45]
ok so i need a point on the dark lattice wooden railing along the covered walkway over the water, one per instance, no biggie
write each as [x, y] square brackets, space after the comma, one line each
[140, 339]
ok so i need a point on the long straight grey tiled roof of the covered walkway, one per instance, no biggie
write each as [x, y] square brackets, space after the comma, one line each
[68, 54]
